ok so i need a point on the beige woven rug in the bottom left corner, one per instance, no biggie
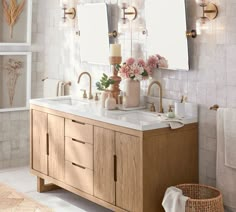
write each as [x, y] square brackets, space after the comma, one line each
[13, 201]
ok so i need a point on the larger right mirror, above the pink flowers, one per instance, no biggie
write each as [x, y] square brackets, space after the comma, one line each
[166, 32]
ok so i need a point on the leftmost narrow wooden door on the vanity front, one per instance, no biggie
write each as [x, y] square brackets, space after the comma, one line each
[39, 128]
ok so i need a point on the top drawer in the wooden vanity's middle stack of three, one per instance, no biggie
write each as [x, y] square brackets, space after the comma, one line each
[79, 131]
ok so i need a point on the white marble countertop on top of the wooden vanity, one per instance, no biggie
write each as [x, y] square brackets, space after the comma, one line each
[138, 119]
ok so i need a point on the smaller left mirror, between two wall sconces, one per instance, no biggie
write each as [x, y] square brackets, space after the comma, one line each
[94, 30]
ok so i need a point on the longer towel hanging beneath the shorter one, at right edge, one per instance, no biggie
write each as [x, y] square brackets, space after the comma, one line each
[225, 176]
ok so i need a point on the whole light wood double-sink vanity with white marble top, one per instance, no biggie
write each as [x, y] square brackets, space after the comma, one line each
[121, 160]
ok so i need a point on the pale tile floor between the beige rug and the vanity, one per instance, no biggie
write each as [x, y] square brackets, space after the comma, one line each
[59, 200]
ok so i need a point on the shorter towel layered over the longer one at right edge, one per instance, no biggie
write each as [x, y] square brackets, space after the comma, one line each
[230, 137]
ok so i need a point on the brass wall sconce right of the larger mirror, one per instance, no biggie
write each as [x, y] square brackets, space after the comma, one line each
[209, 12]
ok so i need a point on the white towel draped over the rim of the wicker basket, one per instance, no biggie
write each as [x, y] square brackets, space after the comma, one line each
[174, 200]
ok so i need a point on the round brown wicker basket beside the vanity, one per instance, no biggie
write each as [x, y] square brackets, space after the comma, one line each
[202, 198]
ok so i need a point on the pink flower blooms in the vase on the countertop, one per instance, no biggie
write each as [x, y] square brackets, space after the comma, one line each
[140, 69]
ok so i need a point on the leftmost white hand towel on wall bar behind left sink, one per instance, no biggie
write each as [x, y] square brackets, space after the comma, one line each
[51, 87]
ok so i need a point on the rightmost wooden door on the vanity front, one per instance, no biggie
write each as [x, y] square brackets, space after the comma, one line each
[129, 173]
